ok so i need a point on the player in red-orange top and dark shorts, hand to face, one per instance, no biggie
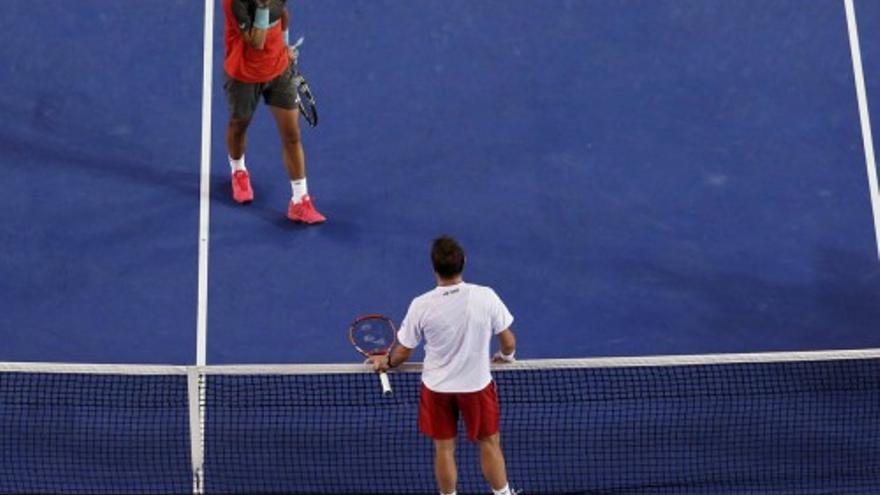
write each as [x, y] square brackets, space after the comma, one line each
[258, 63]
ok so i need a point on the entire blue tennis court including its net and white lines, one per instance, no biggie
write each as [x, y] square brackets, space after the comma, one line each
[636, 179]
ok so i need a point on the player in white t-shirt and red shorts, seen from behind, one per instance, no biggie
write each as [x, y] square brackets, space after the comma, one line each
[457, 320]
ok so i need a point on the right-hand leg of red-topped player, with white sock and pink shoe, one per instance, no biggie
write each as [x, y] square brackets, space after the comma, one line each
[300, 208]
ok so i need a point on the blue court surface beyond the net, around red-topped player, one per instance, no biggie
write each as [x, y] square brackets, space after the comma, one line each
[633, 177]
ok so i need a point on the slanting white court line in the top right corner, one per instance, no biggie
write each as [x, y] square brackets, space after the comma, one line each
[864, 115]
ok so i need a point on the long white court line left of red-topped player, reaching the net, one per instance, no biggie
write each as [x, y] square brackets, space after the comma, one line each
[205, 188]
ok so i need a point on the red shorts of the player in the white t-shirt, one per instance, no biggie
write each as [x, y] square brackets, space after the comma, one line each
[439, 412]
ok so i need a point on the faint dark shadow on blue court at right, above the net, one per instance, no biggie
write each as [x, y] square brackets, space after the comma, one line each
[841, 303]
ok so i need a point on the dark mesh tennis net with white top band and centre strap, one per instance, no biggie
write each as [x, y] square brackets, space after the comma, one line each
[804, 423]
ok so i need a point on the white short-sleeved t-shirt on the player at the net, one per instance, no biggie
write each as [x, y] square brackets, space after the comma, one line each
[457, 323]
